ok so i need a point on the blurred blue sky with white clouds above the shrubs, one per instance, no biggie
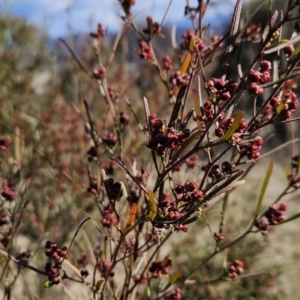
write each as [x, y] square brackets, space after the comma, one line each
[56, 16]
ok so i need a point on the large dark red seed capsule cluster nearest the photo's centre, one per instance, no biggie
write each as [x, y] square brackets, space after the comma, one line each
[164, 138]
